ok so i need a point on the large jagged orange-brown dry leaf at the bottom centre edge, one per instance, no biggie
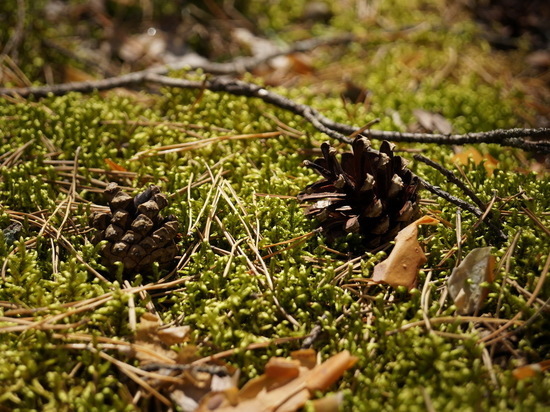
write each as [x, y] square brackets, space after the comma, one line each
[286, 386]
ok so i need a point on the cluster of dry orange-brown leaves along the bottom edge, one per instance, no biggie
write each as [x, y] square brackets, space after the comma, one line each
[167, 373]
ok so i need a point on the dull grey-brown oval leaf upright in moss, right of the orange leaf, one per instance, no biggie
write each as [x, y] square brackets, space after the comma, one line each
[465, 281]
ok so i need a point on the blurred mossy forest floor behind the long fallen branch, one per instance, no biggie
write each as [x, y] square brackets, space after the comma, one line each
[407, 44]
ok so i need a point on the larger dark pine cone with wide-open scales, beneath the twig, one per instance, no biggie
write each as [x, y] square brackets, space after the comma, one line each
[368, 192]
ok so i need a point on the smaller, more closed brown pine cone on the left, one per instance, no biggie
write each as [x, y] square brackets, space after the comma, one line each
[135, 232]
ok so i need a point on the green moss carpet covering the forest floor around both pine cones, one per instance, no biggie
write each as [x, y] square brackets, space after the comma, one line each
[243, 189]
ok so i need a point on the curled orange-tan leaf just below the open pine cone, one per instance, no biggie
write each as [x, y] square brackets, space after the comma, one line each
[401, 266]
